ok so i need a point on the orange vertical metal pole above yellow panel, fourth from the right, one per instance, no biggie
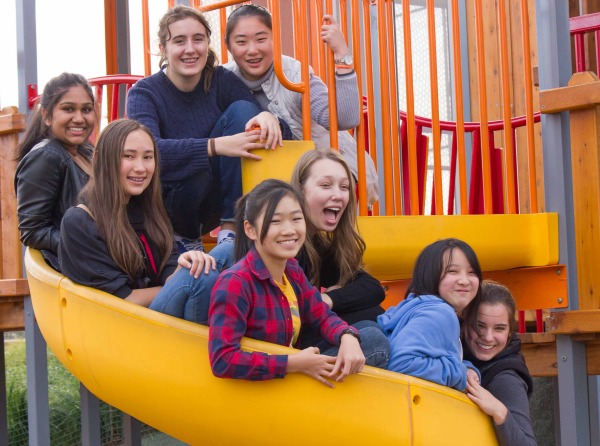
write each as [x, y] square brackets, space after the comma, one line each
[435, 111]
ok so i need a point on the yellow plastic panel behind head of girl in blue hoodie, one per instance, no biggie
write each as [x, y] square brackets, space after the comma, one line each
[501, 241]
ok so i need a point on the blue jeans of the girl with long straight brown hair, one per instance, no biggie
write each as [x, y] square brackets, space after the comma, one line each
[186, 297]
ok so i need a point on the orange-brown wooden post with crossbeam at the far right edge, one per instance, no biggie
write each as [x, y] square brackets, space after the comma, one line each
[582, 98]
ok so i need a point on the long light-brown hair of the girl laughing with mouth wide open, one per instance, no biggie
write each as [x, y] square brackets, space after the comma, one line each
[345, 240]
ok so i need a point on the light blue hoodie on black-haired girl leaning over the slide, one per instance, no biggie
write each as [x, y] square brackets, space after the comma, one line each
[424, 335]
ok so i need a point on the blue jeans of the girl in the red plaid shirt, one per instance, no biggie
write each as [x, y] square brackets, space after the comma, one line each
[373, 343]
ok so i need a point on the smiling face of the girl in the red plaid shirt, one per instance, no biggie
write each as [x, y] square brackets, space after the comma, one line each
[285, 235]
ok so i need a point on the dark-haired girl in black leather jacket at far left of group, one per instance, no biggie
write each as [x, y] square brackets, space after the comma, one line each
[54, 161]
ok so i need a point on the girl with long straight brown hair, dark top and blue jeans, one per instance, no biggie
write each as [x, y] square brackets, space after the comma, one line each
[119, 239]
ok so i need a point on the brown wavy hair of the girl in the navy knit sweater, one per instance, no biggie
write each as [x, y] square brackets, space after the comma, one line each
[176, 14]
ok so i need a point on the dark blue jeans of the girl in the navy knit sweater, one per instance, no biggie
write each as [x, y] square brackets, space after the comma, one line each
[196, 204]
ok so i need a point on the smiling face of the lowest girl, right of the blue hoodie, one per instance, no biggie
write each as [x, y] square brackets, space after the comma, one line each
[491, 332]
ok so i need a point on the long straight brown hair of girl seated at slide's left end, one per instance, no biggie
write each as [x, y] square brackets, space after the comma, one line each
[107, 201]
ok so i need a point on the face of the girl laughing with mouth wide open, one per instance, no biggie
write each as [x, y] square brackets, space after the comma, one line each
[326, 194]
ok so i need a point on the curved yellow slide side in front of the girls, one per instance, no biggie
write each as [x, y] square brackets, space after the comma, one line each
[155, 368]
